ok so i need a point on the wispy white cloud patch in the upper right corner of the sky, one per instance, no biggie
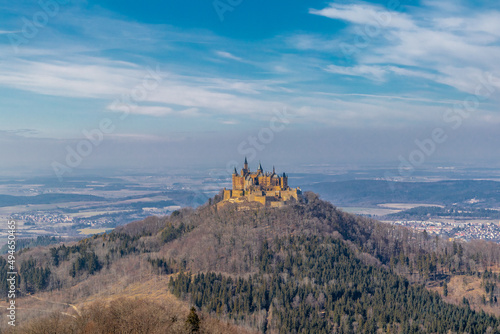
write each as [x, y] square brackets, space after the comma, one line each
[439, 46]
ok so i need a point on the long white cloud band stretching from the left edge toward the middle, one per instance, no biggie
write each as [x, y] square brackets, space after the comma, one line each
[104, 79]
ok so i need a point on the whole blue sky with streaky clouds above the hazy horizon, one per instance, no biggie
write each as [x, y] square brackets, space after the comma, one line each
[162, 84]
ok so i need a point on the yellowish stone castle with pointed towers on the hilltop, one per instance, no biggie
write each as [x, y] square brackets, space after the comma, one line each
[268, 189]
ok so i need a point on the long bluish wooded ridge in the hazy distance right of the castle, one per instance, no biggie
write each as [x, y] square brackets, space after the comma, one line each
[372, 192]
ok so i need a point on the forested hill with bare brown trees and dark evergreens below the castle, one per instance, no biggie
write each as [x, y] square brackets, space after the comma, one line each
[305, 268]
